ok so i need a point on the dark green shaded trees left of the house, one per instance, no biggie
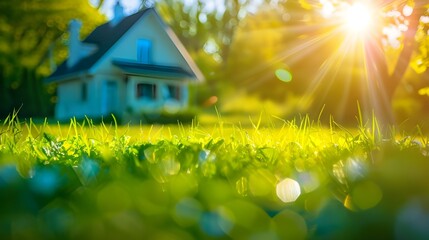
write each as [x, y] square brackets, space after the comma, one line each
[28, 30]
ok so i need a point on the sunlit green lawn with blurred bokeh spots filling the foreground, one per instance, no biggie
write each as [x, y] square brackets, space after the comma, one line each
[286, 180]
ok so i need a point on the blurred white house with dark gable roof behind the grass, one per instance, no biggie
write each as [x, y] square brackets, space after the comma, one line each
[131, 66]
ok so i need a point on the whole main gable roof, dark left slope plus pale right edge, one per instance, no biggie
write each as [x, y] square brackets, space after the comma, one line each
[104, 37]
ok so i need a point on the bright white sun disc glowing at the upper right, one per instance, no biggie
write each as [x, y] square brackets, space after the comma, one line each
[358, 18]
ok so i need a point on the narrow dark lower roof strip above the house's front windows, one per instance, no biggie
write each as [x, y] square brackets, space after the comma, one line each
[152, 69]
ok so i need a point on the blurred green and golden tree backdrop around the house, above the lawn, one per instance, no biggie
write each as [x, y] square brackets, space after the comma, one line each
[285, 58]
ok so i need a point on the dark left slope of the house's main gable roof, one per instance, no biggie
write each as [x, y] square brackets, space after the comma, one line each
[104, 36]
